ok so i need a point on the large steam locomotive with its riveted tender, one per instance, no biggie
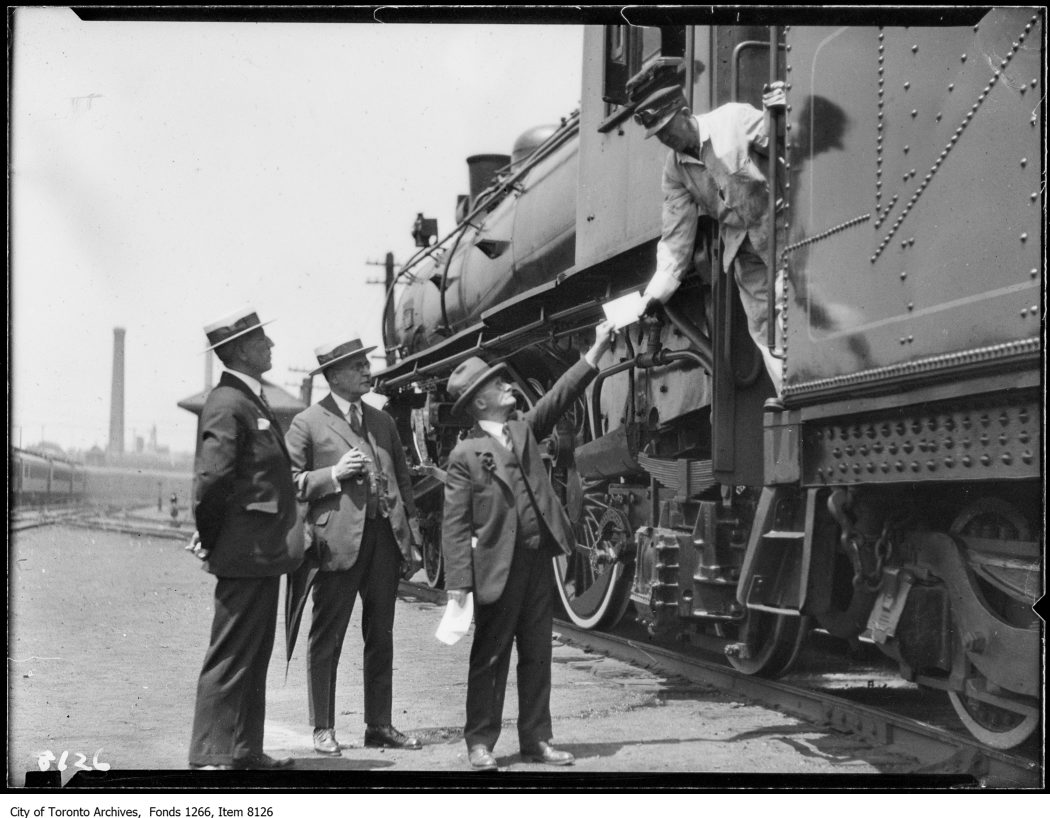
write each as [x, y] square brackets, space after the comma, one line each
[897, 495]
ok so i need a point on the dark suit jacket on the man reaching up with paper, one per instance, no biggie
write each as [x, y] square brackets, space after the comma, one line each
[479, 500]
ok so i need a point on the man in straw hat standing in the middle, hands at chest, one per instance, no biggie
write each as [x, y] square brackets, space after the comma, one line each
[349, 467]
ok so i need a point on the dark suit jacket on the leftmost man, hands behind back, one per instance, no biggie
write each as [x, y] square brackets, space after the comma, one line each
[244, 501]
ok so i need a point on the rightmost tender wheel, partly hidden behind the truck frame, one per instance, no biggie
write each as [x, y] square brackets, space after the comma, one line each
[998, 727]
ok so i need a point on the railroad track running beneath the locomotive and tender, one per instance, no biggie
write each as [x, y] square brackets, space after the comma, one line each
[958, 753]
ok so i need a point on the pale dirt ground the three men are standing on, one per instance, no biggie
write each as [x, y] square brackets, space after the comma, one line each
[108, 633]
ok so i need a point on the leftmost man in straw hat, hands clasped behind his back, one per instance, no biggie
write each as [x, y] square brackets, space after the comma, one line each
[244, 505]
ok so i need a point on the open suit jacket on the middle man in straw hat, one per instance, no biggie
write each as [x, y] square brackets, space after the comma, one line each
[335, 517]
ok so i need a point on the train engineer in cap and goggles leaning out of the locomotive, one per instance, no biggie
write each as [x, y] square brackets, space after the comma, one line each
[715, 170]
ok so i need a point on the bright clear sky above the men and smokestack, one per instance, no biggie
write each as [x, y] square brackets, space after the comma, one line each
[164, 175]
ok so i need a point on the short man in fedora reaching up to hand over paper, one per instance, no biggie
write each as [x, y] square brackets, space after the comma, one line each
[502, 527]
